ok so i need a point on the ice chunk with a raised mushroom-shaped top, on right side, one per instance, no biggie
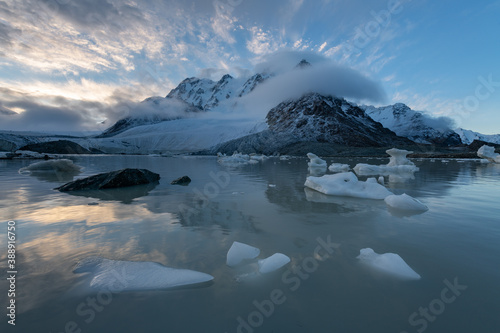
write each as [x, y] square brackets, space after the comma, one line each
[398, 169]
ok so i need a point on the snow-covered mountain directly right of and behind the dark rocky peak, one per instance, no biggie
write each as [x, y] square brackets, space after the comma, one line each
[413, 125]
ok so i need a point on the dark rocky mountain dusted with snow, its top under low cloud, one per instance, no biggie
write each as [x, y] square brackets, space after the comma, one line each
[317, 118]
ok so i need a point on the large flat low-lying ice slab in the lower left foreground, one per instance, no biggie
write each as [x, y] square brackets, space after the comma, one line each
[137, 275]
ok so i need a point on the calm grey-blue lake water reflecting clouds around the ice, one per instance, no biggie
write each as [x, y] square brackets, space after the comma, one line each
[192, 227]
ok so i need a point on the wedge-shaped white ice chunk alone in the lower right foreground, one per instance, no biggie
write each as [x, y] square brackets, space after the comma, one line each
[389, 263]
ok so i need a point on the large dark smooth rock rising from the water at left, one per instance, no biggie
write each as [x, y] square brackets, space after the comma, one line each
[114, 179]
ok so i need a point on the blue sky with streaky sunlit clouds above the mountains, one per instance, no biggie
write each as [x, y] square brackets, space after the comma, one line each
[71, 64]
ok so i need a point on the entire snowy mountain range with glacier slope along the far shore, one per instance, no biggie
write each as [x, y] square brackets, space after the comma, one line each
[180, 122]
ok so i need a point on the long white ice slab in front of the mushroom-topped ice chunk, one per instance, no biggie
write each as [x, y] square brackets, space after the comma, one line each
[347, 184]
